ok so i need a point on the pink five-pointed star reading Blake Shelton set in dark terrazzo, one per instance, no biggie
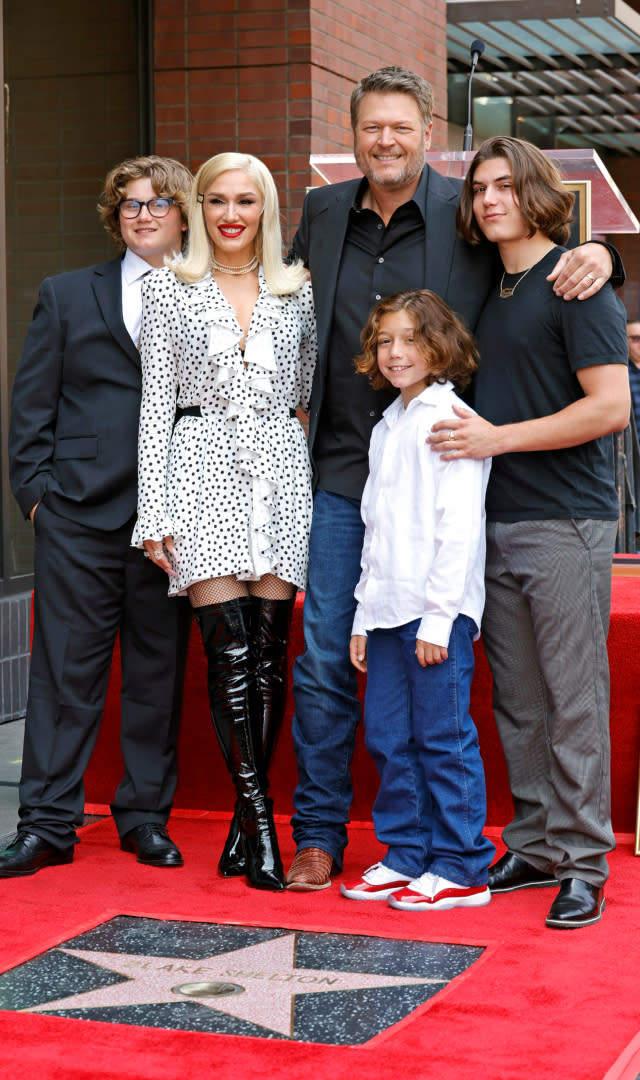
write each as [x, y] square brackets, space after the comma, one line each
[258, 983]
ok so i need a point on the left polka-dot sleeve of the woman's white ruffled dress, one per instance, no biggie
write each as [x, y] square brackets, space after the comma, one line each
[158, 411]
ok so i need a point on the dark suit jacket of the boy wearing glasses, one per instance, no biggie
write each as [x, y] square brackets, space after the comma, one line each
[76, 402]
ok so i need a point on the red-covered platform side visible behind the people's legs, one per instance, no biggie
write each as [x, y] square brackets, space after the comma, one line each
[205, 785]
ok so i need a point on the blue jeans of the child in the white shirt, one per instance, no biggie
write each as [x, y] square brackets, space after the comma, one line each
[431, 807]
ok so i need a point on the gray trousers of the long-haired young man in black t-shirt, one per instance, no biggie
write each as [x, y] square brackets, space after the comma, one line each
[546, 626]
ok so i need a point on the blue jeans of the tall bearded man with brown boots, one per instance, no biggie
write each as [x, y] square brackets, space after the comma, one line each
[328, 710]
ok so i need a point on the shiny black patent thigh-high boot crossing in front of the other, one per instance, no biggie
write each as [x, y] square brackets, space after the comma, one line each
[232, 684]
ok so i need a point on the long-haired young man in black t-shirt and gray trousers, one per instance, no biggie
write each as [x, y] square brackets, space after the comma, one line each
[551, 389]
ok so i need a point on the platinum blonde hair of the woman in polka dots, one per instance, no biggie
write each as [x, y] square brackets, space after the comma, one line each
[281, 279]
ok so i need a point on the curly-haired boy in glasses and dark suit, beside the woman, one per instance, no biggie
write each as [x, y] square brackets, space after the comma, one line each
[74, 471]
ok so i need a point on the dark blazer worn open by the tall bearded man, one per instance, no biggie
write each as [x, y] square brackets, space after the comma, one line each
[460, 275]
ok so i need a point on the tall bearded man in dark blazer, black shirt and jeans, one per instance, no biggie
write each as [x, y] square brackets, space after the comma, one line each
[362, 240]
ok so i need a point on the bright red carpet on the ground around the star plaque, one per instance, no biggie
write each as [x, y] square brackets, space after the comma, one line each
[539, 1004]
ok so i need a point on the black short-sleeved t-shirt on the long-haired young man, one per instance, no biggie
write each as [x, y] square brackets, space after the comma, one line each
[532, 346]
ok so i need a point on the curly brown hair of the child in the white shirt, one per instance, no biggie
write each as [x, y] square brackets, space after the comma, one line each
[441, 336]
